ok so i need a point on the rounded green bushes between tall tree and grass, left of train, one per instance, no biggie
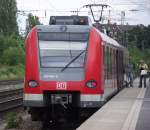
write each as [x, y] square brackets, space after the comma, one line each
[11, 50]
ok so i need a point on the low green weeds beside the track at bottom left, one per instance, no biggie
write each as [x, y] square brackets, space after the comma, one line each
[13, 121]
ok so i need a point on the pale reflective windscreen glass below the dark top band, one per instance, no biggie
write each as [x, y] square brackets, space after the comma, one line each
[60, 53]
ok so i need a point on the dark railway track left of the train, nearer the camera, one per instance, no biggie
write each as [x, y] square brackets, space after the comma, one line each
[11, 98]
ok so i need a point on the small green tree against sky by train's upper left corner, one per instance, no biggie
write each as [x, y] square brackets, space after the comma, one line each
[31, 22]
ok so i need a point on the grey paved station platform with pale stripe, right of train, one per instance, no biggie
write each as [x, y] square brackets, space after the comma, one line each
[128, 110]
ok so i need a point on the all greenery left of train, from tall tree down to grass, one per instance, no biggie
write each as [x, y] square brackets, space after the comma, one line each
[11, 44]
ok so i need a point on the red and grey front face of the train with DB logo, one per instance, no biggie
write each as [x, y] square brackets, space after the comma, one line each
[62, 71]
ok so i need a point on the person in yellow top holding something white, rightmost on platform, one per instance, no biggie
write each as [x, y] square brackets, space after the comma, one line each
[143, 73]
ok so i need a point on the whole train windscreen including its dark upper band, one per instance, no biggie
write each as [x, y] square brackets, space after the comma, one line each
[62, 50]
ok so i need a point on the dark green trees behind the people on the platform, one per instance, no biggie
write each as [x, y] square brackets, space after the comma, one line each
[138, 45]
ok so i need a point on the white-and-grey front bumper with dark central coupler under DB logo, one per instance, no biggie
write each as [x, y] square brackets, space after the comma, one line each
[82, 100]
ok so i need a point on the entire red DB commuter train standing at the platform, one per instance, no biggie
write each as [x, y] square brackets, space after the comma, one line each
[71, 69]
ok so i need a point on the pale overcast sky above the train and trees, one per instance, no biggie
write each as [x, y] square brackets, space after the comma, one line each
[136, 11]
